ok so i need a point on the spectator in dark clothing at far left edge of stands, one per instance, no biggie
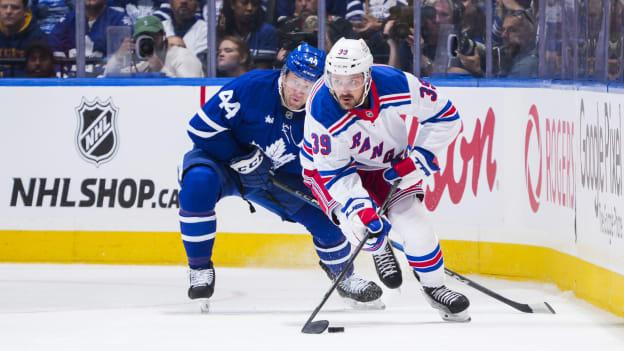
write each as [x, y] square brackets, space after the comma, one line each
[17, 30]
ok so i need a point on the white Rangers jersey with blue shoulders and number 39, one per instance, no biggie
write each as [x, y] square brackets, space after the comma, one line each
[404, 112]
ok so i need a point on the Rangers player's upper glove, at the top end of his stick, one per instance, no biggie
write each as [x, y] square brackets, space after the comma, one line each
[419, 164]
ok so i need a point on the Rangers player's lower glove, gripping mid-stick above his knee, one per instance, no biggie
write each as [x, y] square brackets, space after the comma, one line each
[362, 219]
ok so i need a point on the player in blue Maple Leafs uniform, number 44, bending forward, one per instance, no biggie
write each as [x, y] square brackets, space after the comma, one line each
[249, 129]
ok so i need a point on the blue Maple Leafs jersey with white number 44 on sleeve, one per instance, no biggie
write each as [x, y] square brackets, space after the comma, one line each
[248, 112]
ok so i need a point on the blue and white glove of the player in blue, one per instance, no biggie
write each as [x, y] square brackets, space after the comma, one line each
[253, 169]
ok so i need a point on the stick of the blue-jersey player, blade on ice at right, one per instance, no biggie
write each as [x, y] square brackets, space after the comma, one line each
[523, 307]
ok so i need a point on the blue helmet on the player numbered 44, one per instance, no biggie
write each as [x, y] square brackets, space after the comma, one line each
[306, 62]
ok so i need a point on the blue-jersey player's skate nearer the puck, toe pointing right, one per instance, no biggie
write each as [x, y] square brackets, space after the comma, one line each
[357, 292]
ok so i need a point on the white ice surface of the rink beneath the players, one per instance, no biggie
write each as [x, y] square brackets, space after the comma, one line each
[104, 307]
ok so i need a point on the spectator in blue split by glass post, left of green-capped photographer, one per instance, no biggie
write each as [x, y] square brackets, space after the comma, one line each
[99, 18]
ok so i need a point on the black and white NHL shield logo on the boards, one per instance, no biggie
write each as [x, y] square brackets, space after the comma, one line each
[96, 135]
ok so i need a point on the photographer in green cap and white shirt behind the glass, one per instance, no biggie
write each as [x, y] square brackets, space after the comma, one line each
[153, 54]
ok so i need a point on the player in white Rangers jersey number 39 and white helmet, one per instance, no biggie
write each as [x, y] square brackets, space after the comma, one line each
[369, 126]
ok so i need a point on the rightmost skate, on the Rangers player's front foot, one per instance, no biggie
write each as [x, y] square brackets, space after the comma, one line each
[451, 305]
